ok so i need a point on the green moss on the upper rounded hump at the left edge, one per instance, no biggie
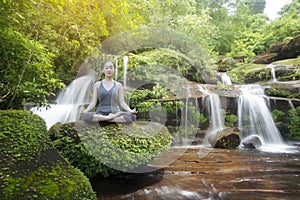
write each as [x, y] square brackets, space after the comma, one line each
[17, 128]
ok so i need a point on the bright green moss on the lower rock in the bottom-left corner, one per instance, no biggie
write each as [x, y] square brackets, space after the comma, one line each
[57, 182]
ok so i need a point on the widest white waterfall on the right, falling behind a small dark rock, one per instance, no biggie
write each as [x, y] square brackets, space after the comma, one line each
[255, 117]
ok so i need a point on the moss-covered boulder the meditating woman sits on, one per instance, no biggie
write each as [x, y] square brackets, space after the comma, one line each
[109, 148]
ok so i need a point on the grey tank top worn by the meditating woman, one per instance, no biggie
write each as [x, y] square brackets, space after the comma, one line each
[108, 100]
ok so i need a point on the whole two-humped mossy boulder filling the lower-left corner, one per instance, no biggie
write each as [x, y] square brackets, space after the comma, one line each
[30, 167]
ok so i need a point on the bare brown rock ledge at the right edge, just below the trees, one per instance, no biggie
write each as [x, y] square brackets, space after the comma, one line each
[280, 51]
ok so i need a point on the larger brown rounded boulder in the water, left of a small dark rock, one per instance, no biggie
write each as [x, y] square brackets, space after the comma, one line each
[228, 138]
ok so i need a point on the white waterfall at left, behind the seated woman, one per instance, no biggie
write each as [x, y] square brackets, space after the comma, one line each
[68, 103]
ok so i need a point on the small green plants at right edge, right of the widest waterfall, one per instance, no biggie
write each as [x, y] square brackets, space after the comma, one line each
[294, 121]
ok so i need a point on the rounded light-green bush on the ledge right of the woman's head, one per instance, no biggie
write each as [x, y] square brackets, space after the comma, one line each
[162, 66]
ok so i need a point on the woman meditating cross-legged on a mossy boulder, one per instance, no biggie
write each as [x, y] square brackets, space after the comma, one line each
[110, 95]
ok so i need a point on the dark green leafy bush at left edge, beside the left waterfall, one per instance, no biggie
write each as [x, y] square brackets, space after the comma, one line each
[27, 71]
